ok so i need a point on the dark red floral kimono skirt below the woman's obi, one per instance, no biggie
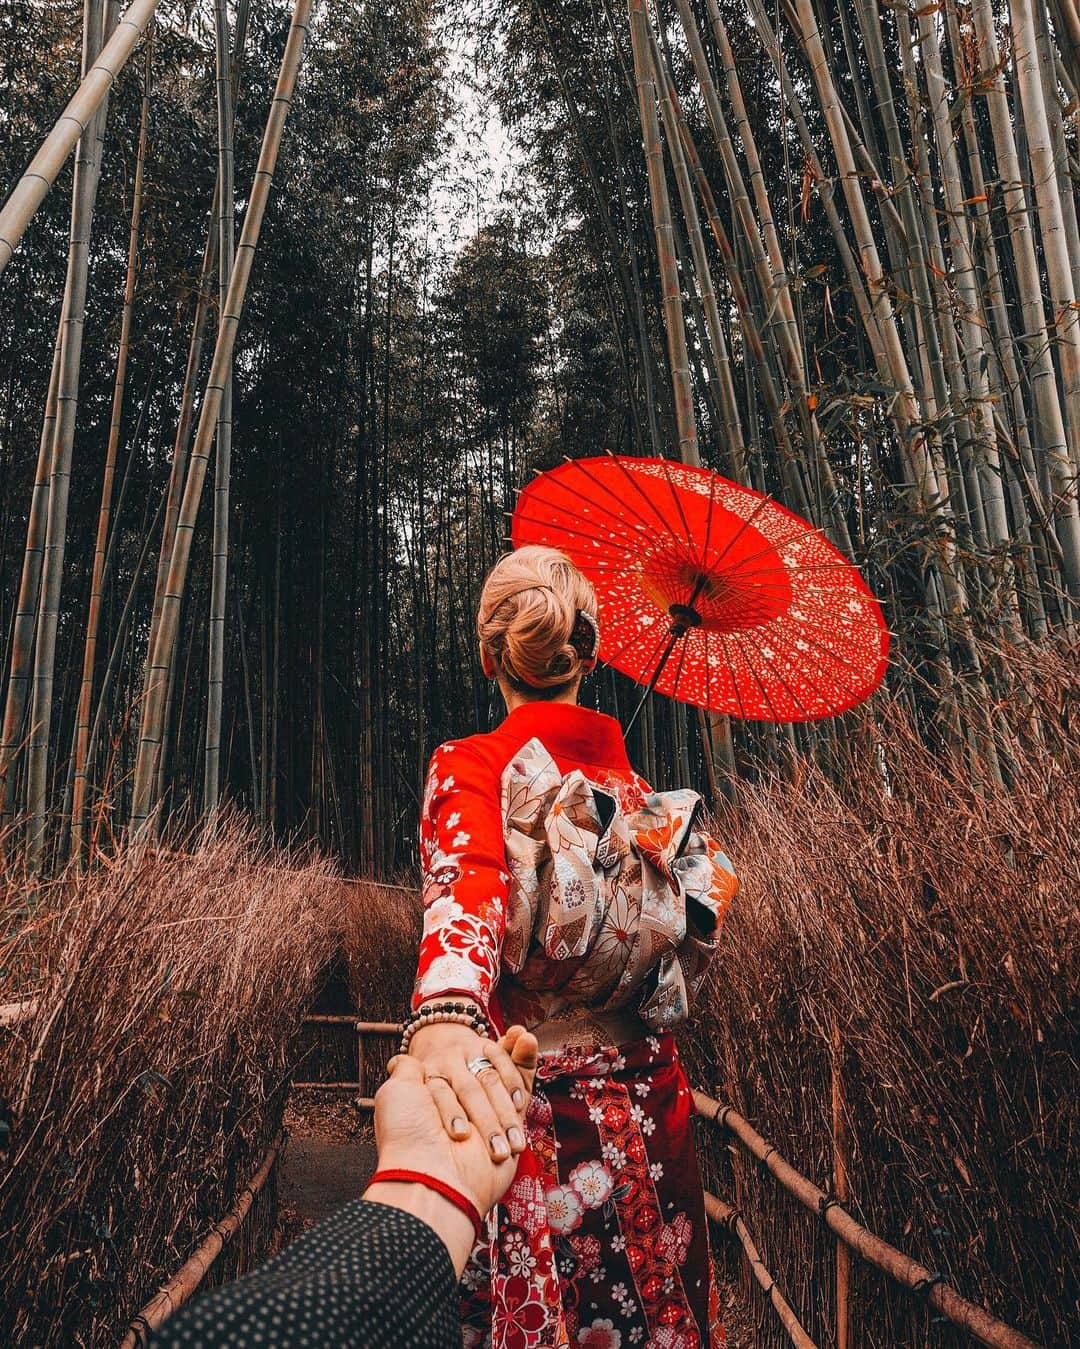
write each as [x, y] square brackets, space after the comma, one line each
[602, 1239]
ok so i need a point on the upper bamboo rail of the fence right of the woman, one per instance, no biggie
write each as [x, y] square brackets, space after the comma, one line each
[900, 1267]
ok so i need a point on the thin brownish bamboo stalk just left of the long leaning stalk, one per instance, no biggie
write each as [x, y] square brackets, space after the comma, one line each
[94, 619]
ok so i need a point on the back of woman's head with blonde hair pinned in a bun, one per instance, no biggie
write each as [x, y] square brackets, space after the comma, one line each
[537, 620]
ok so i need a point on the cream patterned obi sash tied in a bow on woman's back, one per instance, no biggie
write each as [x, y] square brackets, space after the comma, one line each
[607, 910]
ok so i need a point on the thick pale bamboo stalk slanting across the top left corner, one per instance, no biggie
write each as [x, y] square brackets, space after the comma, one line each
[73, 123]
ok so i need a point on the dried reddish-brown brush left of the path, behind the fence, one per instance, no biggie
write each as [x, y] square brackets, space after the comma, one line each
[152, 1072]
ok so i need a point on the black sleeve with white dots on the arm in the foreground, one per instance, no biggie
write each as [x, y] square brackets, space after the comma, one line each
[369, 1275]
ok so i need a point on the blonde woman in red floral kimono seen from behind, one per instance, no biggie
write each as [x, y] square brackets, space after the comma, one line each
[562, 892]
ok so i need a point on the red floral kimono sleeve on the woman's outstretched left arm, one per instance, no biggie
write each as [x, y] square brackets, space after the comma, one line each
[466, 879]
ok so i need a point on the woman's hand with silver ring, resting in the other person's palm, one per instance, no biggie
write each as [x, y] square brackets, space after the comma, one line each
[493, 1101]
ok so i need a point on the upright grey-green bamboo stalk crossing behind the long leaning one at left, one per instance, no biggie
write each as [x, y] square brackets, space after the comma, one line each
[220, 562]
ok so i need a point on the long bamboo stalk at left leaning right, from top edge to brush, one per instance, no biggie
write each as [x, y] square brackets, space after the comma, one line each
[165, 641]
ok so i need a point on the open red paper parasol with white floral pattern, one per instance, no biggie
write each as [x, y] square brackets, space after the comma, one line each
[709, 592]
